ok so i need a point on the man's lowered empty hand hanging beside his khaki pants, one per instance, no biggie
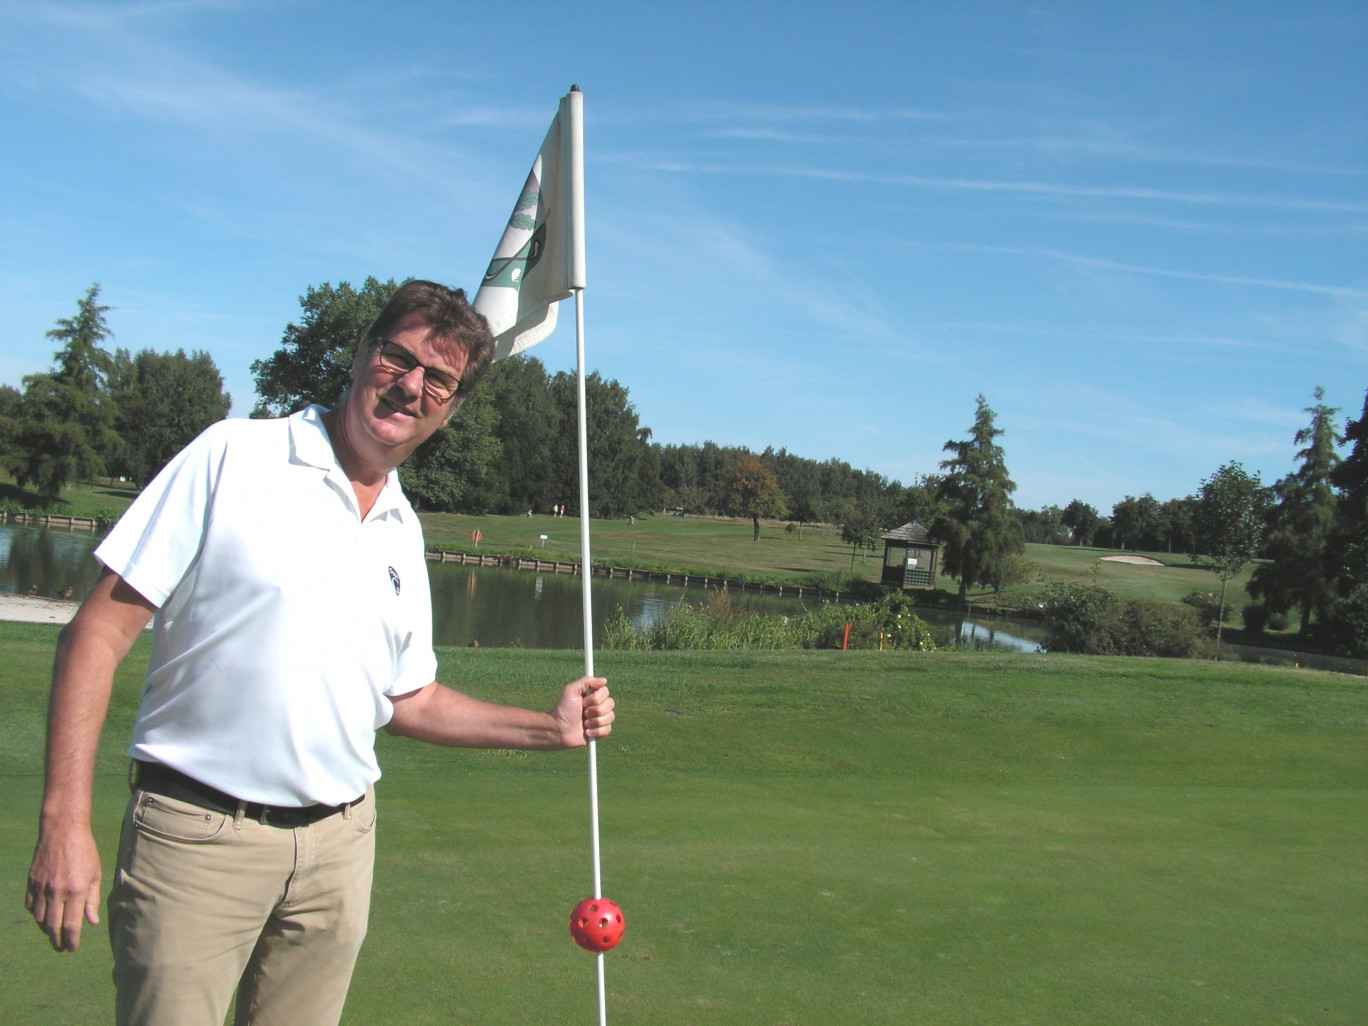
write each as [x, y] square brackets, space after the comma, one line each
[65, 884]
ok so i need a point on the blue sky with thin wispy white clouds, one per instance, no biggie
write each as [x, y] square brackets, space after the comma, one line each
[1140, 231]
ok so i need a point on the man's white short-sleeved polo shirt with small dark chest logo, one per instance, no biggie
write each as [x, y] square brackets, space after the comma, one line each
[285, 620]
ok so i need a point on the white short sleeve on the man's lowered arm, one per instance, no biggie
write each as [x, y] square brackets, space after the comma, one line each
[161, 534]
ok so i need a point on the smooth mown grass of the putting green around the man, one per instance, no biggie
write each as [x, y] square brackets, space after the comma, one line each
[820, 838]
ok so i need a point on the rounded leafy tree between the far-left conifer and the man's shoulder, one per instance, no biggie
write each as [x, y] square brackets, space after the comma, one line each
[162, 403]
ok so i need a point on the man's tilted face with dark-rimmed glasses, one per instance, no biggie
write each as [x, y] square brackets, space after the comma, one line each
[389, 411]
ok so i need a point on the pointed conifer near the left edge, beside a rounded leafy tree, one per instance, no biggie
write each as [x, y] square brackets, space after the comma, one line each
[65, 423]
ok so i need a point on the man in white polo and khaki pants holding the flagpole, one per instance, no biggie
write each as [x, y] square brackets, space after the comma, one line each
[293, 619]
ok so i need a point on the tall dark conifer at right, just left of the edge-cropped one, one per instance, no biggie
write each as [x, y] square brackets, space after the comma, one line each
[1300, 526]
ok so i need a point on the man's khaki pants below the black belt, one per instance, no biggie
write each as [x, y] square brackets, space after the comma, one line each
[205, 904]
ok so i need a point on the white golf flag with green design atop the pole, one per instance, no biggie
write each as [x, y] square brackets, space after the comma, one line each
[541, 258]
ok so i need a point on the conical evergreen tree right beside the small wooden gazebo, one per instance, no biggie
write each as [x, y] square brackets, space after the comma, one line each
[976, 521]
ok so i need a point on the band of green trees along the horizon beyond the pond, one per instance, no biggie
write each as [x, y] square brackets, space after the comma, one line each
[512, 449]
